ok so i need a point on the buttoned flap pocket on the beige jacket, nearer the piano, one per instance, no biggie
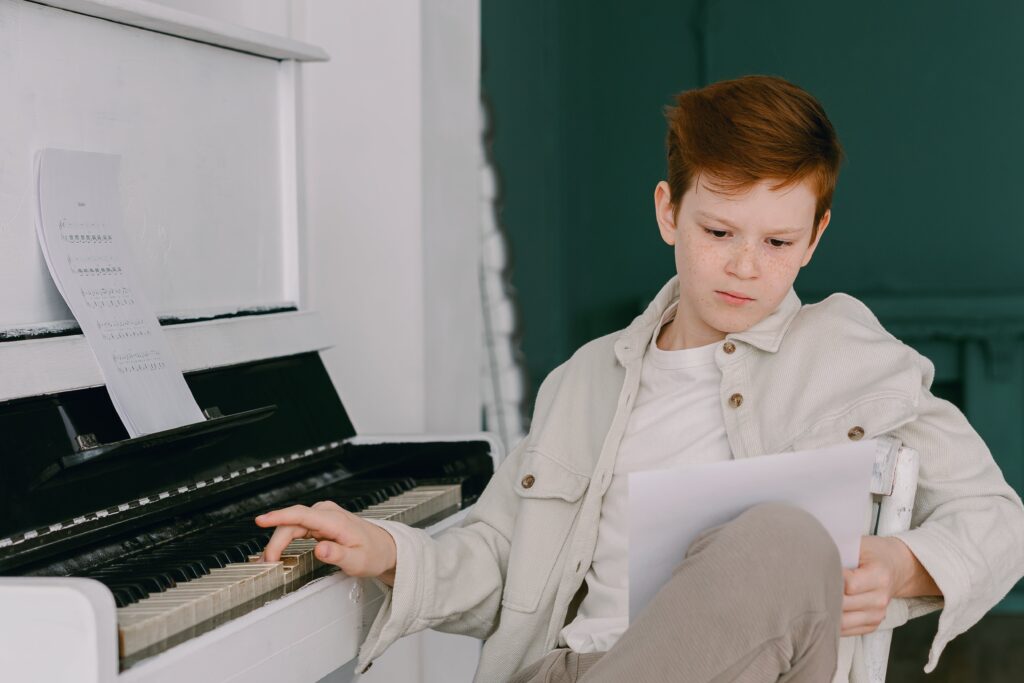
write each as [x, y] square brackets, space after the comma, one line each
[549, 501]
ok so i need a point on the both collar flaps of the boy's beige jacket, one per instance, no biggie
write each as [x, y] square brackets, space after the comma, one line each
[766, 335]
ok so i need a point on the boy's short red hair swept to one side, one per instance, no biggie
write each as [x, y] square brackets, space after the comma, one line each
[751, 130]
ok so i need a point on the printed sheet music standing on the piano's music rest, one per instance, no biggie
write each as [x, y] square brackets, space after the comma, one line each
[83, 241]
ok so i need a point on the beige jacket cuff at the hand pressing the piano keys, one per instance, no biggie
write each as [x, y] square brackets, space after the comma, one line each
[398, 615]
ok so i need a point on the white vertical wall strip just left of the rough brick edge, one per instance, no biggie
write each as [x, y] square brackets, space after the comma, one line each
[451, 214]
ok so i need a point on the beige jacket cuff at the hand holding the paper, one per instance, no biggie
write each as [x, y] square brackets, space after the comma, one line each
[951, 574]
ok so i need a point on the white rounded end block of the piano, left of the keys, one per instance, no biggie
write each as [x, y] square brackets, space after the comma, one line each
[72, 617]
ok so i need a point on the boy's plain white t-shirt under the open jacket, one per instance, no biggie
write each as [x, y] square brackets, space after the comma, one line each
[676, 420]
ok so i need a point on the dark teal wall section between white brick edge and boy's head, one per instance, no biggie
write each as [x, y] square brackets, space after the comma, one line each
[577, 91]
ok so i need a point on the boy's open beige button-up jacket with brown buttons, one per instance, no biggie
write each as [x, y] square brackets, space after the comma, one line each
[808, 375]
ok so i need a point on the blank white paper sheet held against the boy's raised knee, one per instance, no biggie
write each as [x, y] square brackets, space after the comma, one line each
[670, 508]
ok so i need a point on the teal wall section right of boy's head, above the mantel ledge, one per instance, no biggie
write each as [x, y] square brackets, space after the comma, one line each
[927, 98]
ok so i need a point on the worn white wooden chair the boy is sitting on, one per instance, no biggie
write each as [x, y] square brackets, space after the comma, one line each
[894, 484]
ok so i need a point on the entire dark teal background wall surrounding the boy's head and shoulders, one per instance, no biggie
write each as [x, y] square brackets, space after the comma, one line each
[928, 221]
